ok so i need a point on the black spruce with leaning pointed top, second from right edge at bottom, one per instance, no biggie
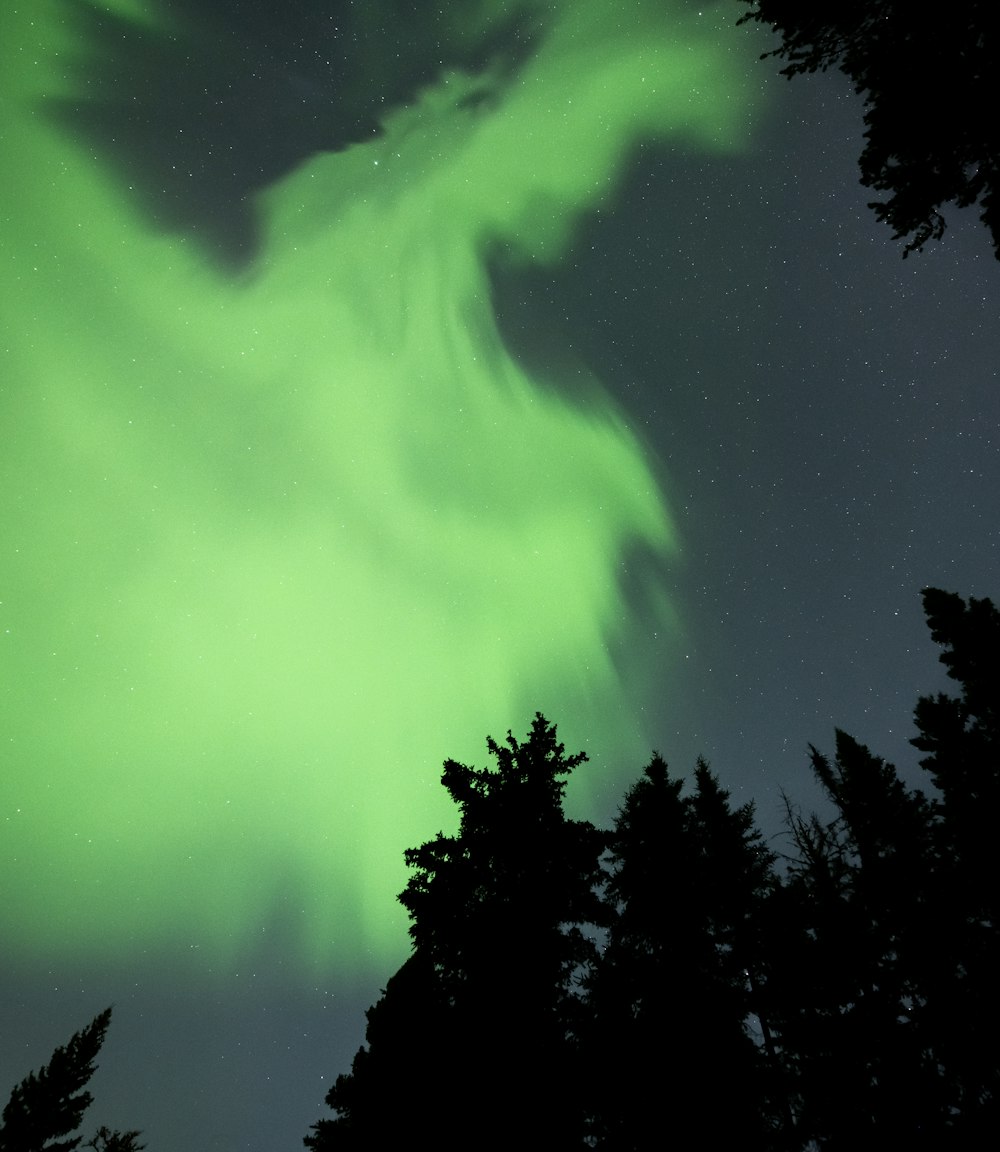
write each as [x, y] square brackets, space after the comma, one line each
[854, 962]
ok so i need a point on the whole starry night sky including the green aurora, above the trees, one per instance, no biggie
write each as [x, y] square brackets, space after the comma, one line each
[373, 378]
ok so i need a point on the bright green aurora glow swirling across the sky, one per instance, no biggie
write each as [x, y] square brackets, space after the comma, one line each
[276, 544]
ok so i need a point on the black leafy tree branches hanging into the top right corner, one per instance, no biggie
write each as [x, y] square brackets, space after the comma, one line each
[931, 86]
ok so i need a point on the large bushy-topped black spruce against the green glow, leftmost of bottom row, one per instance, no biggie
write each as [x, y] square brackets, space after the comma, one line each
[475, 1042]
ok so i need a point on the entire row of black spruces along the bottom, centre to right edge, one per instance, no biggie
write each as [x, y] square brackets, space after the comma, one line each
[673, 980]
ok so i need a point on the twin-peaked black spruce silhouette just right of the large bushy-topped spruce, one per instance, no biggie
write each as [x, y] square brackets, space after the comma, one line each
[671, 999]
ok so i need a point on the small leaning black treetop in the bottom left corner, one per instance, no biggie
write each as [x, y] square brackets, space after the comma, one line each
[50, 1104]
